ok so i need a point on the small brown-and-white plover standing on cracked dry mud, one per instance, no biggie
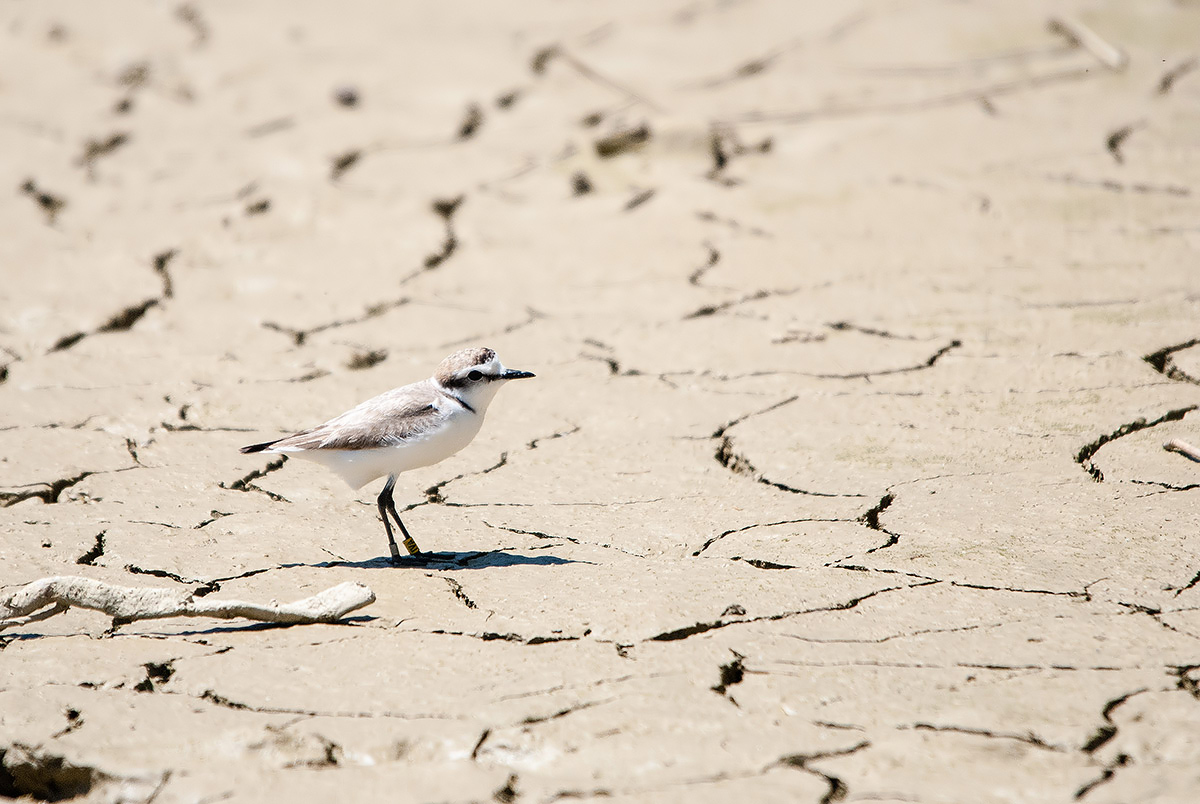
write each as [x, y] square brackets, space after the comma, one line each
[404, 429]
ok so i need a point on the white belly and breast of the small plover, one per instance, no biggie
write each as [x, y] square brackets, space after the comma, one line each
[361, 467]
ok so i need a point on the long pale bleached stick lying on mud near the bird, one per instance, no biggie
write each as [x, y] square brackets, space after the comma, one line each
[129, 604]
